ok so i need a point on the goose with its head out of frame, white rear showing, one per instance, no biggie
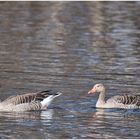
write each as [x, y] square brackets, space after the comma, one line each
[29, 101]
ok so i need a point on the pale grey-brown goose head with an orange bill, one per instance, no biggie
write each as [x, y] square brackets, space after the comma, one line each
[98, 88]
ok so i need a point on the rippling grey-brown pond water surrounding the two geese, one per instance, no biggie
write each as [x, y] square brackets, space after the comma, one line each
[69, 47]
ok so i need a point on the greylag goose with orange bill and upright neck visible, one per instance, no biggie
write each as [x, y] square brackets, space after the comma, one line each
[118, 101]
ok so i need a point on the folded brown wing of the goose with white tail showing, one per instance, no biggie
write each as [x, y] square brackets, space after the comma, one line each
[28, 97]
